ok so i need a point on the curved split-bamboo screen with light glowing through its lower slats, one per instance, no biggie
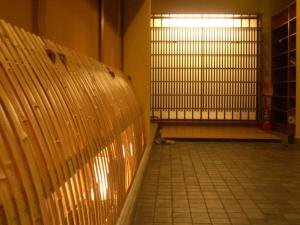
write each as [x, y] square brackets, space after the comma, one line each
[71, 134]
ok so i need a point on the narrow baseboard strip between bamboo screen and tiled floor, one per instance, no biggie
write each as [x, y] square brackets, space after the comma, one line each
[128, 210]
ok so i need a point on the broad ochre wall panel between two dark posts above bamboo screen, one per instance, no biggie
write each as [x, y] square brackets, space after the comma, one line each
[72, 23]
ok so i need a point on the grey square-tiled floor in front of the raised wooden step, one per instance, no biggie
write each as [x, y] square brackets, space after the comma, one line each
[216, 183]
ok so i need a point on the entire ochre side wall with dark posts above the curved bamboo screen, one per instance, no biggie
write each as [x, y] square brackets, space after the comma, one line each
[73, 23]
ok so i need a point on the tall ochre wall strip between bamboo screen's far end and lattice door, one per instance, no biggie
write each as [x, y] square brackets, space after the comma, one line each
[137, 51]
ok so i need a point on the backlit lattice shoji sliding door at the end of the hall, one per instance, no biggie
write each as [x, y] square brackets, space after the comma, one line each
[205, 67]
